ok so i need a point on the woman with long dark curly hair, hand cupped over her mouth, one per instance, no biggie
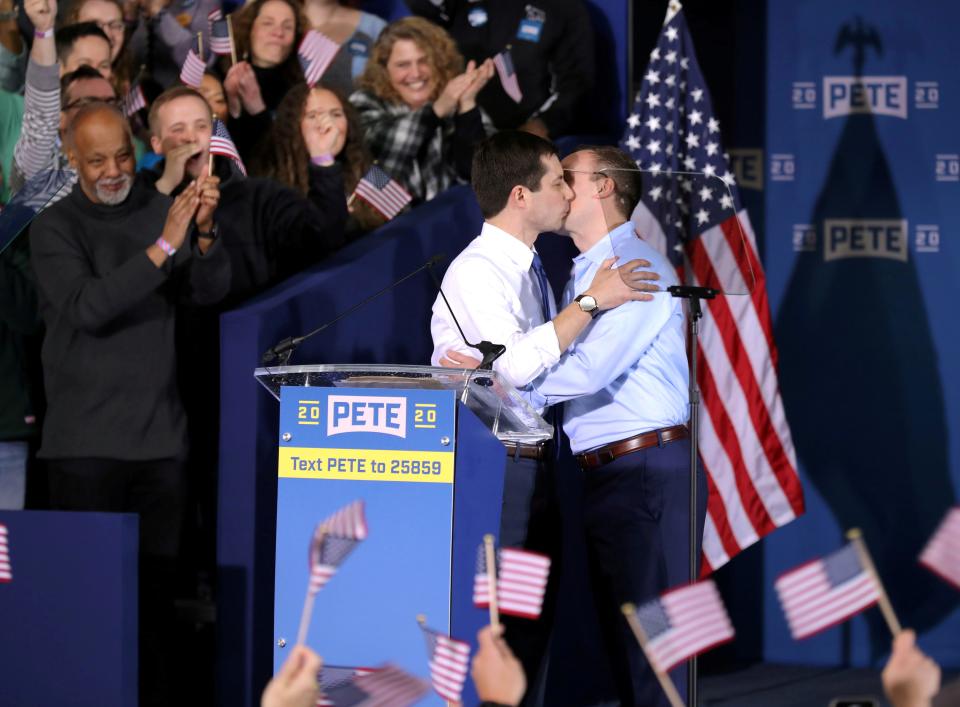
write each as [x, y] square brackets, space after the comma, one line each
[311, 124]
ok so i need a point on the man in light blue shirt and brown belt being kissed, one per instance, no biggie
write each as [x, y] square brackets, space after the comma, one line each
[624, 383]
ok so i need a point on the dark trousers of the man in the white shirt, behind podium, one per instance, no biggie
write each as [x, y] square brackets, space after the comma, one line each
[530, 519]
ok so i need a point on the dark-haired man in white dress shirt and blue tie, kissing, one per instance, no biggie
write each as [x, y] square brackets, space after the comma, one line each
[497, 289]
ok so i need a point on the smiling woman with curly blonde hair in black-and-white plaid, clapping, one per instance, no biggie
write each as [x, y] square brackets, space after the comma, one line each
[418, 106]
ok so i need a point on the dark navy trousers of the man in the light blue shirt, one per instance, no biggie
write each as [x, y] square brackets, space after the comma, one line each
[636, 515]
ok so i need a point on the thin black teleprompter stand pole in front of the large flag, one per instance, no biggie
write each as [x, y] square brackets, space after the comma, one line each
[693, 295]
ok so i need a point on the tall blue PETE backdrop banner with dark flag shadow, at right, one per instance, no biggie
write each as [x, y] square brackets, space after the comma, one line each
[862, 203]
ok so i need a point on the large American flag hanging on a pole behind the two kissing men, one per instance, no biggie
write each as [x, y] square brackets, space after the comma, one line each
[694, 218]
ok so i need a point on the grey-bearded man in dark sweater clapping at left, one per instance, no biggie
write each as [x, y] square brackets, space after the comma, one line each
[112, 260]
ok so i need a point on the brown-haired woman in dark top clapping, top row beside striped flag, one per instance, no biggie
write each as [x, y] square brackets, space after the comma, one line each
[266, 34]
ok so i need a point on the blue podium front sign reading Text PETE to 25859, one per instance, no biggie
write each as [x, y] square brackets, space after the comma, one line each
[340, 445]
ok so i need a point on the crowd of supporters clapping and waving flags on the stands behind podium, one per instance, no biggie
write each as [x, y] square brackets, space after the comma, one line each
[411, 97]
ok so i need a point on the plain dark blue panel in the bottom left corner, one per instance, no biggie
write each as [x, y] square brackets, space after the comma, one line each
[68, 616]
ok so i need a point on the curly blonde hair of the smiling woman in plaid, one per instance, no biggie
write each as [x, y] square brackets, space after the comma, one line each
[445, 60]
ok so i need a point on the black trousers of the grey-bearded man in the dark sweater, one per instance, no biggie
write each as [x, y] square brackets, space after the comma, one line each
[153, 490]
